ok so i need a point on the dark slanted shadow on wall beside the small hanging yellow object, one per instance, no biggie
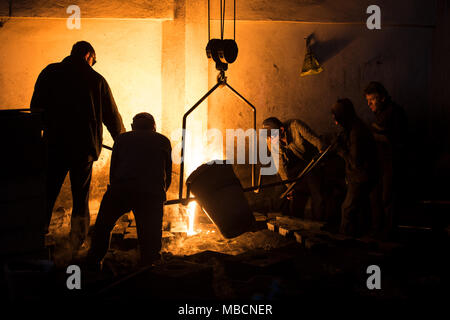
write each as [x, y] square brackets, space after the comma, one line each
[325, 50]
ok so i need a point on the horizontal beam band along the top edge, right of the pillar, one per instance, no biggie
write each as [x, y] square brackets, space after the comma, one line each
[393, 12]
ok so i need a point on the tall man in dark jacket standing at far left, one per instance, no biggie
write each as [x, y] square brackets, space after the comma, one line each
[75, 101]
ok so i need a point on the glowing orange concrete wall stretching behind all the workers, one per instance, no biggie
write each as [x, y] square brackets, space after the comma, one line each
[161, 66]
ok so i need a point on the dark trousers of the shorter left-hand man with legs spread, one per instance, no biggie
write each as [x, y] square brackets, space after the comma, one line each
[148, 211]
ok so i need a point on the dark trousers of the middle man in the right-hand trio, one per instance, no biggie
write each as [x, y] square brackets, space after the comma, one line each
[355, 210]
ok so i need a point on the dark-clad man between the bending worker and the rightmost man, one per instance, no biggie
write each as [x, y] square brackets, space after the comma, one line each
[357, 147]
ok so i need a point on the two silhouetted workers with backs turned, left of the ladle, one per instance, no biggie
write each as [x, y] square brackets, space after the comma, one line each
[75, 102]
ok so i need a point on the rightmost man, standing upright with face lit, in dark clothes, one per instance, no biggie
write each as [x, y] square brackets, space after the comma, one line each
[390, 132]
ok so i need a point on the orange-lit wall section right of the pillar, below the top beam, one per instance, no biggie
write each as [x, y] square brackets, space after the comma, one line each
[267, 72]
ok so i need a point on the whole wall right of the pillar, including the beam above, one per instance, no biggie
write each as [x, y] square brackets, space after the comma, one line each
[271, 54]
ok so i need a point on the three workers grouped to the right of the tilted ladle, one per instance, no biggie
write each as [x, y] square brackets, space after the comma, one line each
[373, 159]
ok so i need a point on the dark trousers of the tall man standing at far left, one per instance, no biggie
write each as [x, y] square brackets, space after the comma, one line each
[80, 181]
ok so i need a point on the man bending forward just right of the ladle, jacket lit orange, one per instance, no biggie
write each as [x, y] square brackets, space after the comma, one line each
[298, 144]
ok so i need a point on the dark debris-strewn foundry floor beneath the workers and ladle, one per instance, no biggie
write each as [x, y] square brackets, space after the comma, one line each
[286, 261]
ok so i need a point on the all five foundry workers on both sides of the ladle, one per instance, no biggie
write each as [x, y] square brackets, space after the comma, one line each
[76, 101]
